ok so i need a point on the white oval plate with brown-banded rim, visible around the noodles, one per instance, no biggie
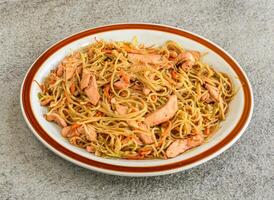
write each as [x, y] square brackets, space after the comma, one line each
[231, 129]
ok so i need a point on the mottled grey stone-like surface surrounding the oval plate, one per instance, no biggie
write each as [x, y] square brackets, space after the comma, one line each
[30, 171]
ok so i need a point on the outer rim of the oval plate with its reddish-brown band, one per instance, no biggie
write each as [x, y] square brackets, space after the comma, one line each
[212, 152]
